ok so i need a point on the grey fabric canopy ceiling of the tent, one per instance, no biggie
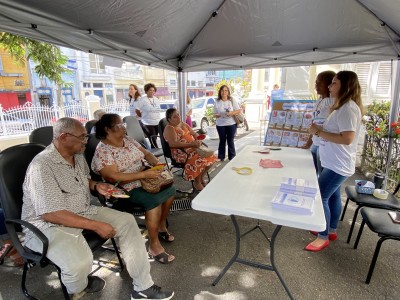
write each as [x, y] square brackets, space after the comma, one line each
[192, 35]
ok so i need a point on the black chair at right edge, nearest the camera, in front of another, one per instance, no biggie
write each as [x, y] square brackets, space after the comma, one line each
[379, 221]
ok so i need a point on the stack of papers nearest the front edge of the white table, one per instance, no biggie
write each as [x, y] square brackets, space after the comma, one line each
[293, 203]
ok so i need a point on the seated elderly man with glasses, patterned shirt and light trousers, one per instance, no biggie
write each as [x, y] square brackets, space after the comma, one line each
[57, 200]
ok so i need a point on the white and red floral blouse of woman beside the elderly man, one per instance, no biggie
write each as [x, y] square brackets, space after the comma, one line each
[127, 158]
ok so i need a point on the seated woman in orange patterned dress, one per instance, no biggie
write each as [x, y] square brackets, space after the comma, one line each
[180, 136]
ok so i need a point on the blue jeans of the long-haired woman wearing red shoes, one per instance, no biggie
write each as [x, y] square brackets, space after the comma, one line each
[329, 185]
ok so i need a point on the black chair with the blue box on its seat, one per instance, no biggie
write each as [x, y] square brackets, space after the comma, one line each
[369, 201]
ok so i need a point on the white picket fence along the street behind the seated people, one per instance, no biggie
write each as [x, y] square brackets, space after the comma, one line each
[23, 119]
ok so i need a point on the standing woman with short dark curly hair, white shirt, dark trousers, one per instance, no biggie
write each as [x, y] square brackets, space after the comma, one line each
[149, 109]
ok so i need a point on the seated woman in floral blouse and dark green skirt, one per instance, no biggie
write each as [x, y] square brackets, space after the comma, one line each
[119, 158]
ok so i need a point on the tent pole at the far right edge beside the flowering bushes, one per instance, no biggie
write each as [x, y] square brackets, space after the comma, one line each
[394, 115]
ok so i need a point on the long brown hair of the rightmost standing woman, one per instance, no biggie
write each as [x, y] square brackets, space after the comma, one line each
[350, 89]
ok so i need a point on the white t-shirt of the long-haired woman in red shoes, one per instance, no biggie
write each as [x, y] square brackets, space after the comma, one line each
[338, 157]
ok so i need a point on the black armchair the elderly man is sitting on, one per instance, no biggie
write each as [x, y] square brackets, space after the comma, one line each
[14, 162]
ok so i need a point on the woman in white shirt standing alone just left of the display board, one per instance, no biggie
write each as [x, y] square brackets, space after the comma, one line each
[224, 109]
